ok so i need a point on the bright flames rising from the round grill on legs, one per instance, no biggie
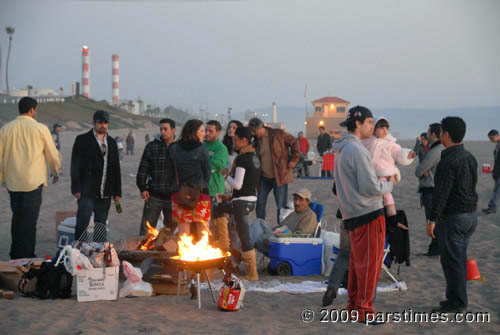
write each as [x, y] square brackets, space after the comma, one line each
[199, 251]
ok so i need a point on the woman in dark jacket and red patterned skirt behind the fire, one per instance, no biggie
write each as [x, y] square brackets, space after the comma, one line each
[189, 165]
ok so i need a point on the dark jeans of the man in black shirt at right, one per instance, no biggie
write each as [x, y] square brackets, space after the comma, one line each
[455, 232]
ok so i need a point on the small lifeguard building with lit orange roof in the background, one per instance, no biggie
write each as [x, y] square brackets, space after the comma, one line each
[328, 112]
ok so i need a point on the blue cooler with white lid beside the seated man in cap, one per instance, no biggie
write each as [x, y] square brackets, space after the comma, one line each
[296, 256]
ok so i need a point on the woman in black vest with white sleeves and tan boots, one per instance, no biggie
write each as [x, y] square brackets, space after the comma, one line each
[243, 178]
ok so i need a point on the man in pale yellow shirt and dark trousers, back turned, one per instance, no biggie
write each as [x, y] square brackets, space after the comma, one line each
[26, 147]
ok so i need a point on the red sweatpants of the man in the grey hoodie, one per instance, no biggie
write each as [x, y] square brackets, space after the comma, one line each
[365, 263]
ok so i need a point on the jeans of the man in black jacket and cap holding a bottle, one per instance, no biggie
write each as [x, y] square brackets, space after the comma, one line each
[100, 208]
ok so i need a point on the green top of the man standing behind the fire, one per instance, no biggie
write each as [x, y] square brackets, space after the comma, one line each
[218, 161]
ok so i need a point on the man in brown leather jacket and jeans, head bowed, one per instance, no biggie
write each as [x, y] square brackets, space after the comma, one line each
[273, 149]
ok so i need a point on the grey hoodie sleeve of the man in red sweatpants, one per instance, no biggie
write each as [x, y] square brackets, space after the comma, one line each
[368, 183]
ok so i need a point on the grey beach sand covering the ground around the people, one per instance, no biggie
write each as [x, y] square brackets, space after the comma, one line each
[264, 313]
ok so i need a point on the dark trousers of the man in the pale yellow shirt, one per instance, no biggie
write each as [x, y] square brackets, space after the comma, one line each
[25, 208]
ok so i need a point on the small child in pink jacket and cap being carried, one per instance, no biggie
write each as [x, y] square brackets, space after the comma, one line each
[385, 153]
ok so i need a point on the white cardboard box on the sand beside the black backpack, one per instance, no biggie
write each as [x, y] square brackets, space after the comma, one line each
[97, 284]
